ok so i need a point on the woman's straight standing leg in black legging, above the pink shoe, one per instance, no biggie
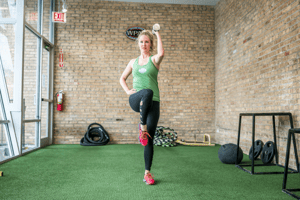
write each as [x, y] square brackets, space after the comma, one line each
[152, 120]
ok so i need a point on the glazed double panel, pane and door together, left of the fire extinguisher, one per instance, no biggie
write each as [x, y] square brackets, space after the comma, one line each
[36, 91]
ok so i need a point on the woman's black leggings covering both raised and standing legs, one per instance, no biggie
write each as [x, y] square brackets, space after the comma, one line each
[149, 114]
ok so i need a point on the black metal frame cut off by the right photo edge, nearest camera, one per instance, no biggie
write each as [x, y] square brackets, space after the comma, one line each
[286, 168]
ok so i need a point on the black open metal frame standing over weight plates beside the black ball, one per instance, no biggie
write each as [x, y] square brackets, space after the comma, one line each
[253, 139]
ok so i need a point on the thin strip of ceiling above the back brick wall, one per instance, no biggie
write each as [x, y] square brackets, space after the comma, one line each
[189, 2]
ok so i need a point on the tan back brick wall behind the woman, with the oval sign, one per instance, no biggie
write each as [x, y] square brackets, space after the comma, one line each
[96, 51]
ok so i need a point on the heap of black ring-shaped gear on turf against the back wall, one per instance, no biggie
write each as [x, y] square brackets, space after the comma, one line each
[92, 132]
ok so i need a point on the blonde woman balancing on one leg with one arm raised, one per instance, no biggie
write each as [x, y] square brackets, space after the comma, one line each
[144, 96]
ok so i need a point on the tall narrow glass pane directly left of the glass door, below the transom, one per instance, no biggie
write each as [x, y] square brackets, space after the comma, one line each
[31, 92]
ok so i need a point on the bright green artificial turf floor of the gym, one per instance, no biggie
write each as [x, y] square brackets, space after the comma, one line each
[116, 172]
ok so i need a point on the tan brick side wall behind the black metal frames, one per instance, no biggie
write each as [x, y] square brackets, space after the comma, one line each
[257, 68]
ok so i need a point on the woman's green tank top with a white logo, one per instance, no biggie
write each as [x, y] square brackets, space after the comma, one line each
[145, 77]
